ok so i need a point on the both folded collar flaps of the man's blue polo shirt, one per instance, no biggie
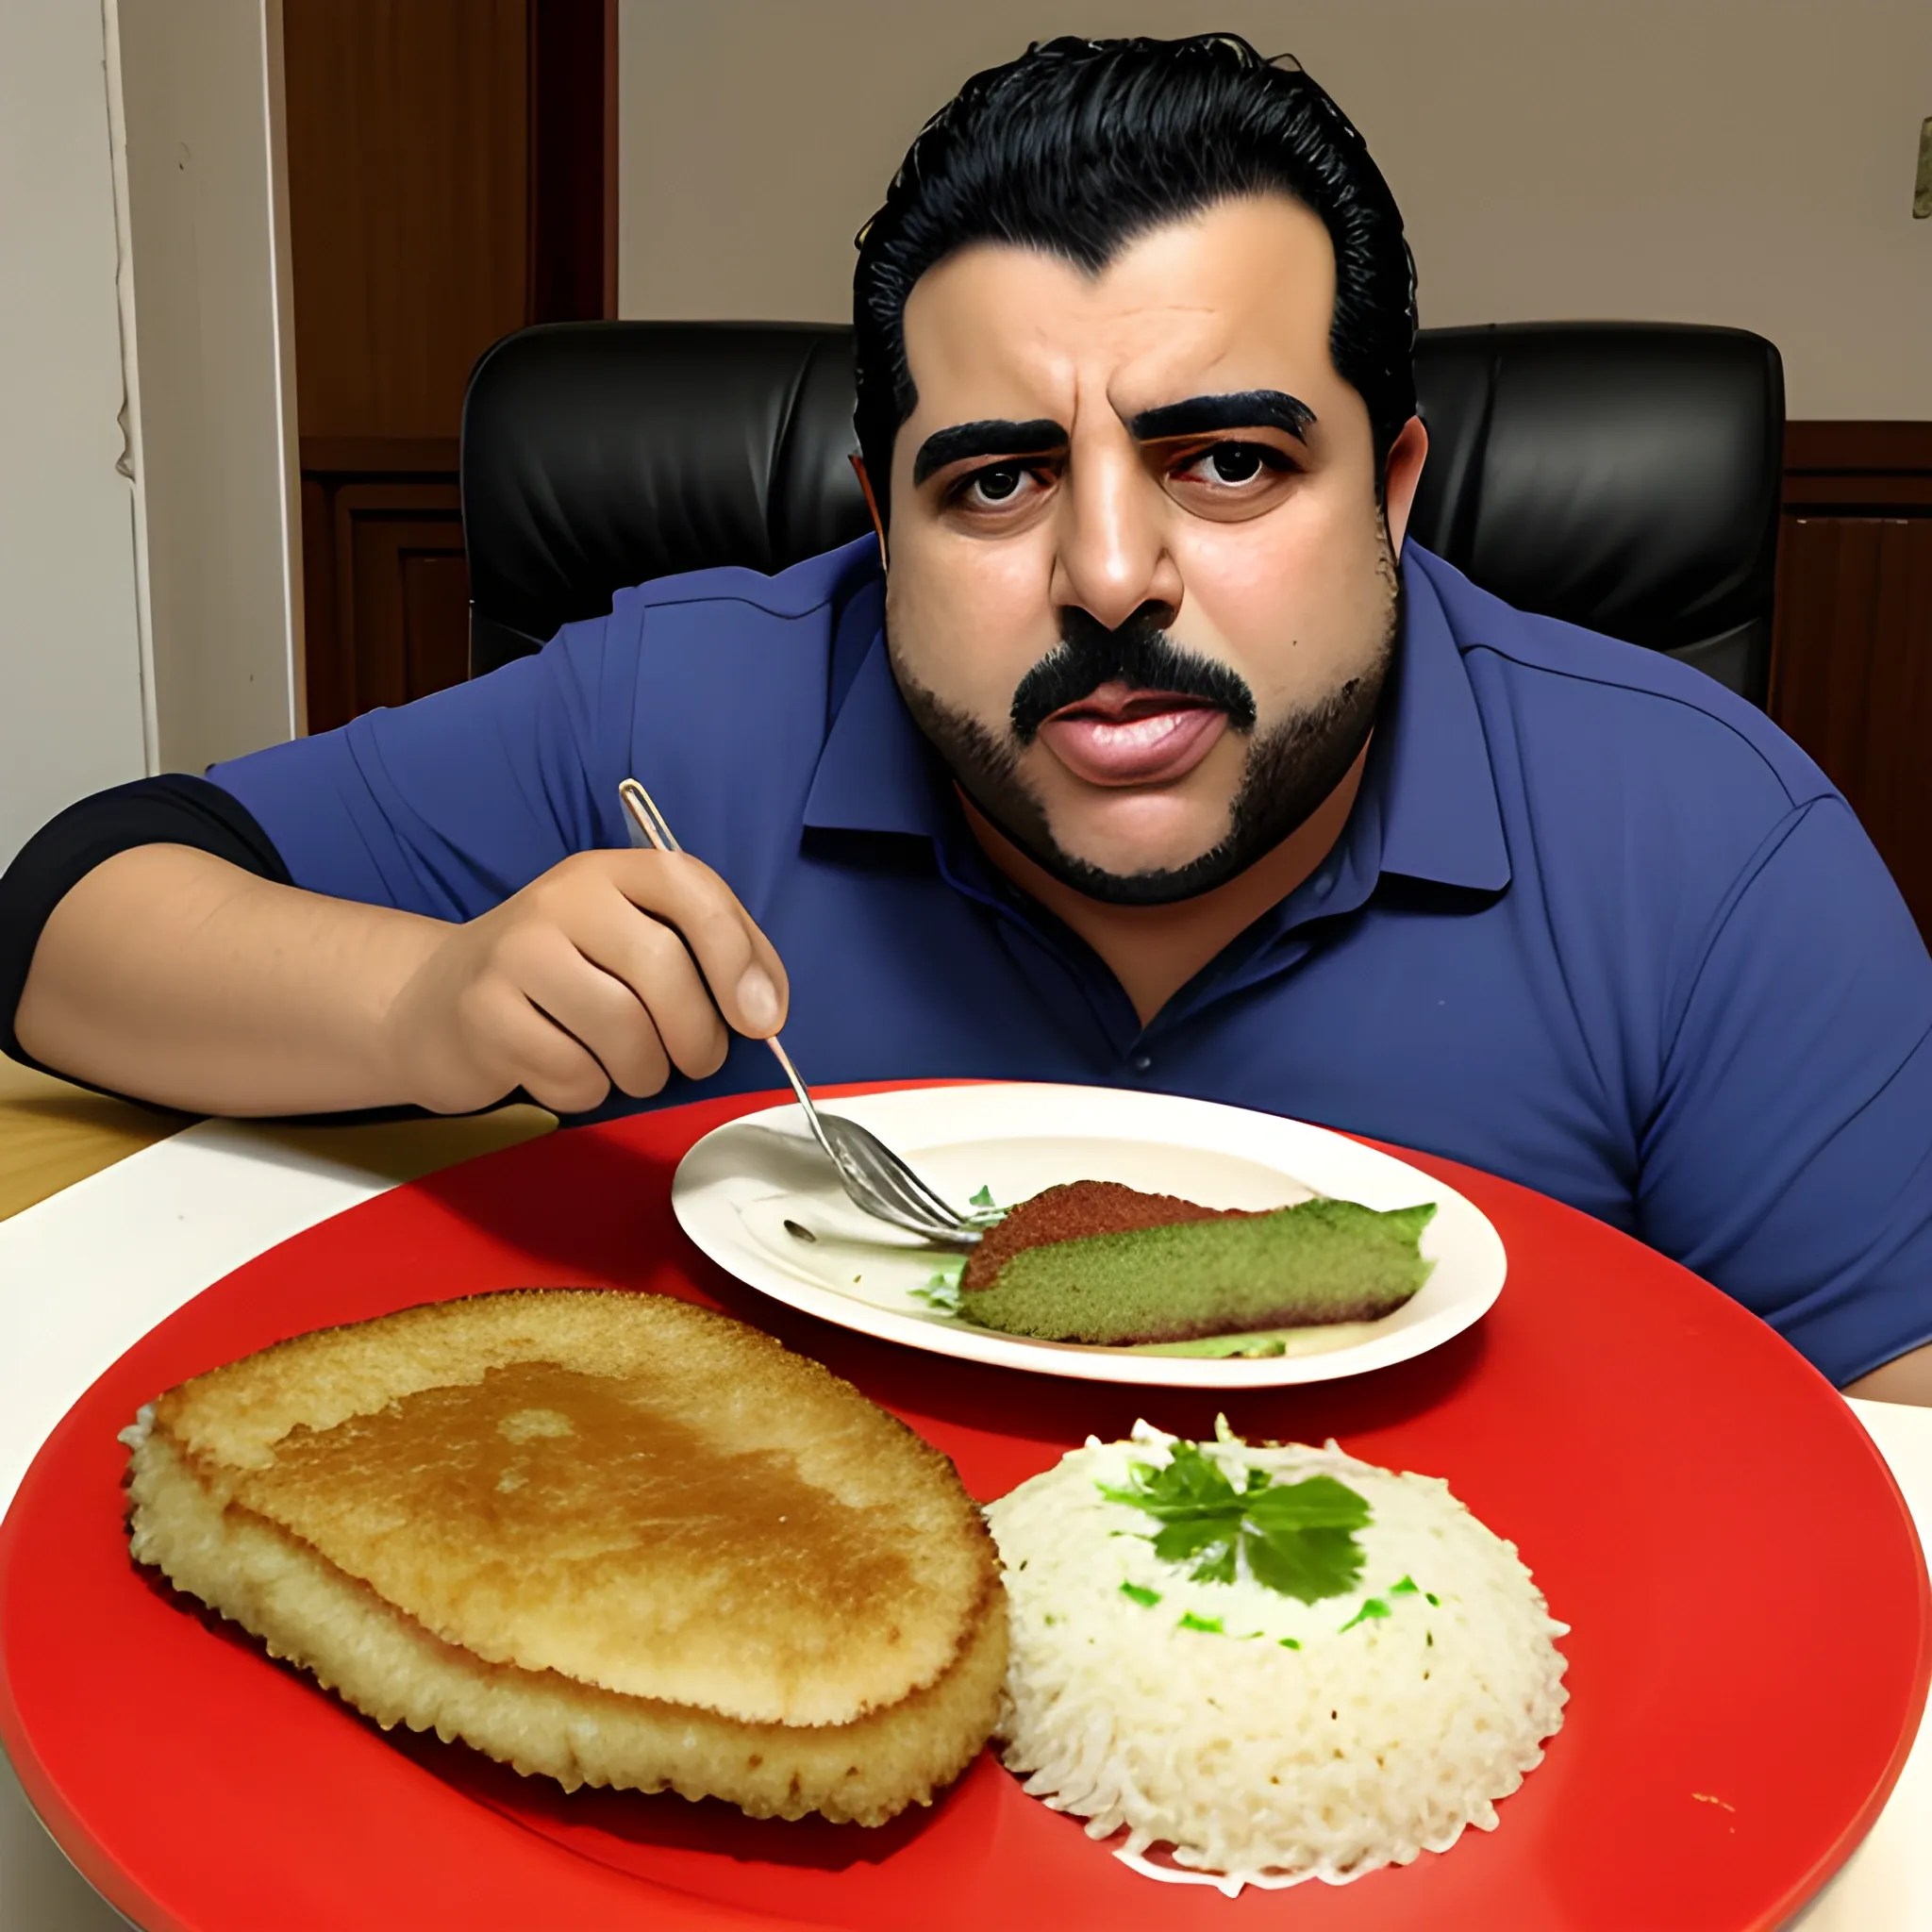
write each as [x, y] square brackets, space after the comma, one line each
[1435, 793]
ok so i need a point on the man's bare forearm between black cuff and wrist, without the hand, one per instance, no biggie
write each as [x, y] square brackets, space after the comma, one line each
[179, 979]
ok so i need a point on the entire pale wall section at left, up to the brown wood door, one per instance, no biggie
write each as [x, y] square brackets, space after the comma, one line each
[146, 561]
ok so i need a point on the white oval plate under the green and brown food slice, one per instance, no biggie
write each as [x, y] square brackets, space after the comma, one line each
[739, 1187]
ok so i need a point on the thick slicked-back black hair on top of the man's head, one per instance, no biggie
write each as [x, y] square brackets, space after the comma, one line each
[1083, 146]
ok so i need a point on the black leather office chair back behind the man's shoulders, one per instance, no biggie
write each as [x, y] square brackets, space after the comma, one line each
[1616, 474]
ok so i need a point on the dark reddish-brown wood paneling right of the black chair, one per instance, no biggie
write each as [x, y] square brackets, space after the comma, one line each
[1852, 662]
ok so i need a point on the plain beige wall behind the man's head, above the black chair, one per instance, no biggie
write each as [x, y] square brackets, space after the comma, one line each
[1717, 161]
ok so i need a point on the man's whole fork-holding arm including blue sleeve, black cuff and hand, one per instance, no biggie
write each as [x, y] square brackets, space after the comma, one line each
[469, 919]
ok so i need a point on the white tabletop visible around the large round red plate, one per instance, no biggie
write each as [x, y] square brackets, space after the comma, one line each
[92, 1270]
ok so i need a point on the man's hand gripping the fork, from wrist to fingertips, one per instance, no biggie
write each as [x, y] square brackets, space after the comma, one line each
[608, 971]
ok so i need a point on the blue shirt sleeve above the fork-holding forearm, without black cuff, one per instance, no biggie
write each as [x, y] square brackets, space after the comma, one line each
[451, 805]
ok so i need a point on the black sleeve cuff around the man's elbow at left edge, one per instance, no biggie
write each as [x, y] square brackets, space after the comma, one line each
[169, 810]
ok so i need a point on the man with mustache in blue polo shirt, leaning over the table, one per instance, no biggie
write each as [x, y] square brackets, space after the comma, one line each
[1131, 754]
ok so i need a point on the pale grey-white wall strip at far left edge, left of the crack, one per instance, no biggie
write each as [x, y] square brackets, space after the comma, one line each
[71, 644]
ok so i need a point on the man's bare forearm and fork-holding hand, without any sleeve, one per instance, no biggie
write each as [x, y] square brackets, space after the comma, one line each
[179, 979]
